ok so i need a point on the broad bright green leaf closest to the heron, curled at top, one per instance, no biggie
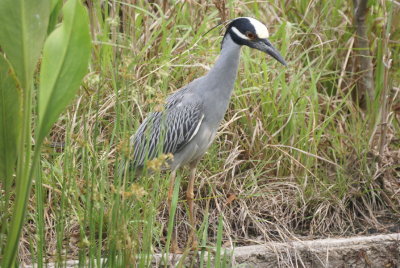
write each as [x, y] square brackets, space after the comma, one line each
[65, 60]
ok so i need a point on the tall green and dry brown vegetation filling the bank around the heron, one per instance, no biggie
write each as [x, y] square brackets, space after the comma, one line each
[296, 156]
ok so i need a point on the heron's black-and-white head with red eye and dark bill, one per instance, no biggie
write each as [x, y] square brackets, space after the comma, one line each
[250, 32]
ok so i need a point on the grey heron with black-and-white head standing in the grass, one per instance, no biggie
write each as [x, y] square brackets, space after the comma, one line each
[192, 115]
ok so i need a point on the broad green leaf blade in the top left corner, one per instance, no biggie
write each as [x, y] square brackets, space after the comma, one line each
[22, 33]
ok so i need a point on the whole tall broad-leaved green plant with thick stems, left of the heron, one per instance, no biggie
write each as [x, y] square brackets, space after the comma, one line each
[64, 64]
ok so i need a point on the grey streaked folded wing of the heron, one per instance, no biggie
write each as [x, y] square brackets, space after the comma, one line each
[167, 131]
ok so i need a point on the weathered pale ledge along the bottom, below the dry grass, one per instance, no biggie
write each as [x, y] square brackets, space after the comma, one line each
[362, 251]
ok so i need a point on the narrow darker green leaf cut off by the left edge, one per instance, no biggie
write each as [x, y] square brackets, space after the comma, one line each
[10, 119]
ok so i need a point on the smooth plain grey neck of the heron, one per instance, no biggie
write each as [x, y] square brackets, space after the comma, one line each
[223, 74]
